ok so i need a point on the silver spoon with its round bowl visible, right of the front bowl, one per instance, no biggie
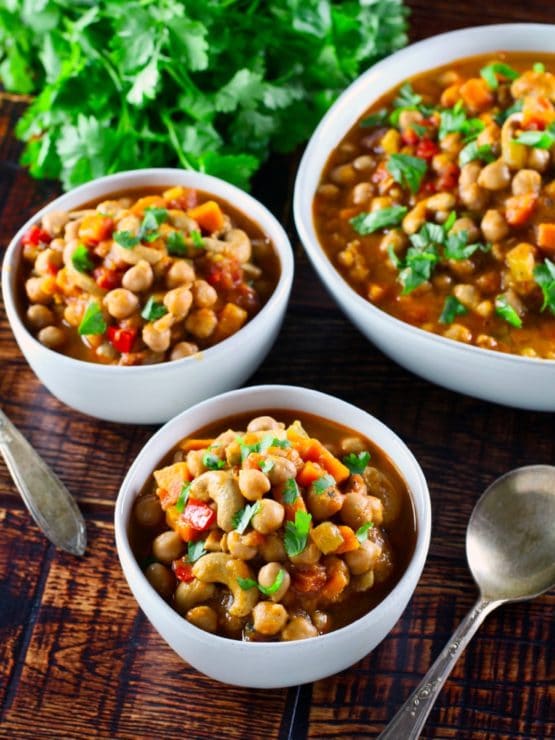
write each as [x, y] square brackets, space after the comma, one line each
[510, 548]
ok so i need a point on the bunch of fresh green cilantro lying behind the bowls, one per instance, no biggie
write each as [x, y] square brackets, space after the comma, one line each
[212, 85]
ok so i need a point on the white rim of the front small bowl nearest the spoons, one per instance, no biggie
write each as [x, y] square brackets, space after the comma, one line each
[179, 623]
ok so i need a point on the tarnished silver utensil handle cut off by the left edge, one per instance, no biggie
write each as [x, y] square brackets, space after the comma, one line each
[49, 502]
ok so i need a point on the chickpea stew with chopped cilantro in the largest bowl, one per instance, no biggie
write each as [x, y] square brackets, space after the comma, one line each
[439, 204]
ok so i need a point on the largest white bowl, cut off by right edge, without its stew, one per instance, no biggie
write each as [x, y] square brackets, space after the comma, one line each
[517, 381]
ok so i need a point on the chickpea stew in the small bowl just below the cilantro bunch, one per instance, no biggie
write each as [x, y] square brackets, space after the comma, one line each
[145, 276]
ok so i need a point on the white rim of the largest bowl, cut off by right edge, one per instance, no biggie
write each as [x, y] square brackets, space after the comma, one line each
[314, 159]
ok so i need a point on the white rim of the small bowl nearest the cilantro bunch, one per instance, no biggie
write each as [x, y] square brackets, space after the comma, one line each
[212, 186]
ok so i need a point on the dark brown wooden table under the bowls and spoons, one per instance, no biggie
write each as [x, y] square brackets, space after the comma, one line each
[79, 660]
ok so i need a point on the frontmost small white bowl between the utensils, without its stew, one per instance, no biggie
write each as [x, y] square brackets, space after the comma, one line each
[272, 665]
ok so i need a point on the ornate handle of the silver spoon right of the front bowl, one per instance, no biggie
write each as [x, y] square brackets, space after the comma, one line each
[409, 720]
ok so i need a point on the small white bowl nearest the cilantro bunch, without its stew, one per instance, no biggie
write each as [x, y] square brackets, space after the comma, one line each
[153, 393]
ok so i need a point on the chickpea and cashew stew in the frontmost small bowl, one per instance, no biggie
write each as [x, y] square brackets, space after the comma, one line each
[274, 528]
